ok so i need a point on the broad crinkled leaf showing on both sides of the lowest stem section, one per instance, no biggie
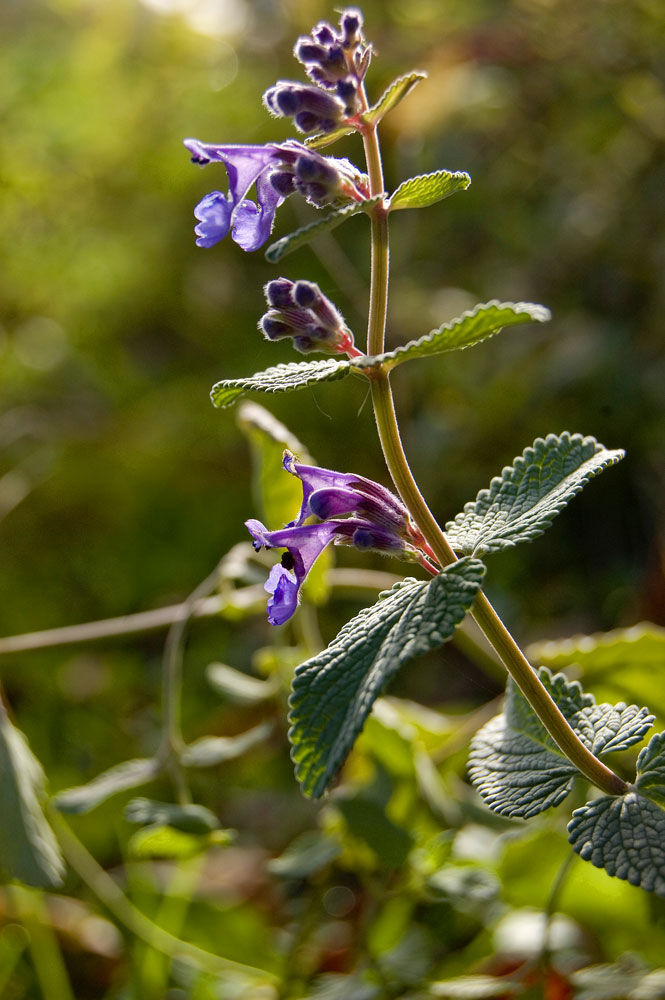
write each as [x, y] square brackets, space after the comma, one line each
[515, 764]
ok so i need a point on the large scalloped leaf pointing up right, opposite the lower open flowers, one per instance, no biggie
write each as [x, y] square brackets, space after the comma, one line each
[523, 501]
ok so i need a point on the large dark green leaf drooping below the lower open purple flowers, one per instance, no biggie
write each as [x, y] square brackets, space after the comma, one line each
[333, 692]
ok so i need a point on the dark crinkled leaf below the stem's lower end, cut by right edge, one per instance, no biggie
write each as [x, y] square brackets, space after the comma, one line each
[625, 835]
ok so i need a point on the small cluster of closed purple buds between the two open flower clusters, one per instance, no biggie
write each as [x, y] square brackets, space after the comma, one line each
[300, 310]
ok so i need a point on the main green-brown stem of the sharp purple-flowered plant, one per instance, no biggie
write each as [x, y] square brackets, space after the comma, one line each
[386, 420]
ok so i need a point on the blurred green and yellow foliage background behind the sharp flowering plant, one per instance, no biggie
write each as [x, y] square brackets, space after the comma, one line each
[121, 486]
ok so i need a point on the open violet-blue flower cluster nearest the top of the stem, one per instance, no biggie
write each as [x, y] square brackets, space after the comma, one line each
[276, 170]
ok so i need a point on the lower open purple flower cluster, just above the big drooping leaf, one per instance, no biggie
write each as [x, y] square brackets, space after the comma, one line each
[351, 510]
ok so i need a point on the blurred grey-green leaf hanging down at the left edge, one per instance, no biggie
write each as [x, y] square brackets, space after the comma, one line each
[29, 850]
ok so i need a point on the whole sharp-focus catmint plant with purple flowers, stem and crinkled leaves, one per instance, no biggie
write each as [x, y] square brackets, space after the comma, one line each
[550, 733]
